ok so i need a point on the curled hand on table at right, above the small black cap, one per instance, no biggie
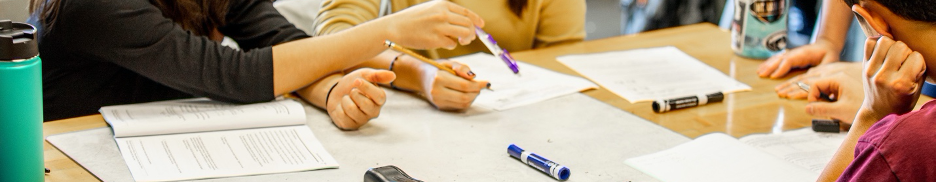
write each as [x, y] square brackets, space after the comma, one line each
[845, 88]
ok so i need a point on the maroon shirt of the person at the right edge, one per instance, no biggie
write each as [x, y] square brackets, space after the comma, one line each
[897, 148]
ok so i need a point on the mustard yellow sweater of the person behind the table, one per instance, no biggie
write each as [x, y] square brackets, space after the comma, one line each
[543, 22]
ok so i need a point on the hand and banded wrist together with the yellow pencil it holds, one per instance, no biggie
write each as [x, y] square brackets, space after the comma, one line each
[455, 89]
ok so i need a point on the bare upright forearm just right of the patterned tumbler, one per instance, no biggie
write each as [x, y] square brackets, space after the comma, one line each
[834, 21]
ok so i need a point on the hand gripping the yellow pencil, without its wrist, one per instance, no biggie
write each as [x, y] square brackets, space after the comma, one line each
[450, 92]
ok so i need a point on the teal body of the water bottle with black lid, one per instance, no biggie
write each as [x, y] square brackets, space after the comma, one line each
[21, 120]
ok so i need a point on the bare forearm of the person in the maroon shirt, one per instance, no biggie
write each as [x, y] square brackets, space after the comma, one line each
[846, 153]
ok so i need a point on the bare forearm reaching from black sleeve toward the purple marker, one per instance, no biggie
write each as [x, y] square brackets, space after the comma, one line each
[298, 63]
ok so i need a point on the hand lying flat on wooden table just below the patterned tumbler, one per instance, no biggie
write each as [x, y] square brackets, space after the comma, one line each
[805, 56]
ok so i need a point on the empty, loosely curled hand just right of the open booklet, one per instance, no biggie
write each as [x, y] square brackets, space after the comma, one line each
[355, 99]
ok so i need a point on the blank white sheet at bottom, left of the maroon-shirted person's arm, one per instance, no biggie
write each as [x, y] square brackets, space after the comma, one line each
[718, 157]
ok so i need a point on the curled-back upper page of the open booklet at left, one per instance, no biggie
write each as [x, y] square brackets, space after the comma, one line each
[200, 114]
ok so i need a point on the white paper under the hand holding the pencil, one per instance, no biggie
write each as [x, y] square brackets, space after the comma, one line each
[533, 84]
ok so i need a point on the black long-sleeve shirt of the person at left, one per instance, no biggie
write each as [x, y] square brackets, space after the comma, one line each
[109, 52]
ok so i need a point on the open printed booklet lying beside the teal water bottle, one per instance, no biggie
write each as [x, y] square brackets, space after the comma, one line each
[199, 138]
